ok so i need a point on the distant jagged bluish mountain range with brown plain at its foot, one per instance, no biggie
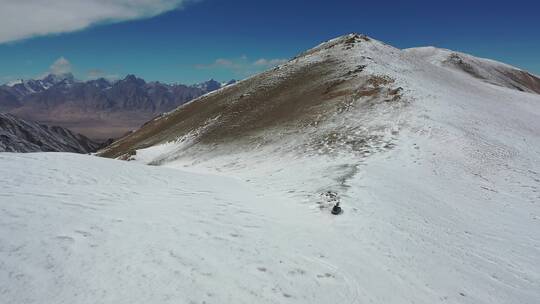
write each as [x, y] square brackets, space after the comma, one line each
[99, 109]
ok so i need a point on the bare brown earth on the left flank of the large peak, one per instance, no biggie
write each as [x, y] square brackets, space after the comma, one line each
[290, 97]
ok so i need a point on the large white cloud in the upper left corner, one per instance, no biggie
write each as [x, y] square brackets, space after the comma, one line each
[20, 19]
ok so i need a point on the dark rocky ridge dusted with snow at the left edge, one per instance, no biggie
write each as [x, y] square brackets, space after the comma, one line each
[17, 135]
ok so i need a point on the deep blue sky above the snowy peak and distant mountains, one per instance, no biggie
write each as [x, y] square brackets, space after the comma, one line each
[188, 42]
